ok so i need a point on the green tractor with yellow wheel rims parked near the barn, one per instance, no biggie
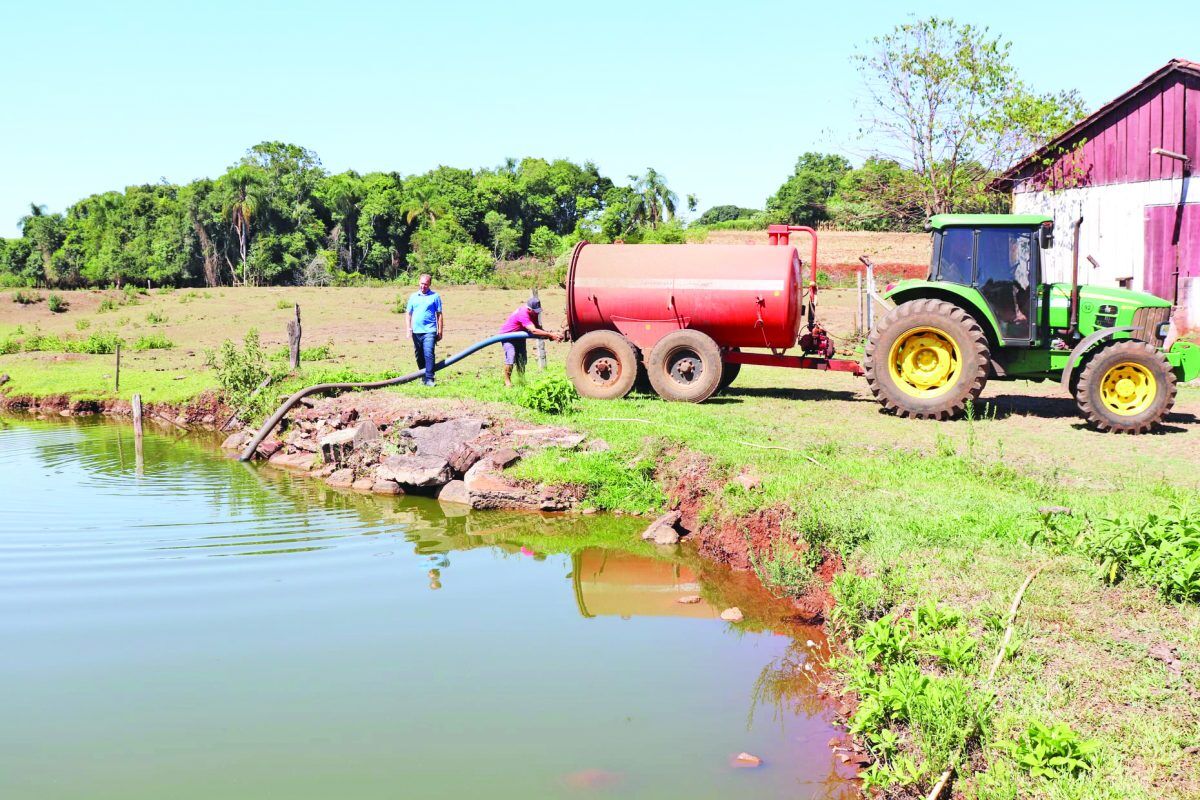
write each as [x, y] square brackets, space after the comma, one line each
[983, 312]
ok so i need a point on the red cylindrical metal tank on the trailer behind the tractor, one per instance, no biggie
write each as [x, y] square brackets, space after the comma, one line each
[741, 296]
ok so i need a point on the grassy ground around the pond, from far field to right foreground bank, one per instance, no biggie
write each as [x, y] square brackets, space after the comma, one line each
[943, 518]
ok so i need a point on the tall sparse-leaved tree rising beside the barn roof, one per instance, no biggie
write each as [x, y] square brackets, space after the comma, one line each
[949, 106]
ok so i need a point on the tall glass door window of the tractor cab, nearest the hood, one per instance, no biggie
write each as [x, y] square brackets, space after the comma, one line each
[1005, 268]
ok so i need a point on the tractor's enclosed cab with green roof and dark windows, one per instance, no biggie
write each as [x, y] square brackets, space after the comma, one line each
[1000, 256]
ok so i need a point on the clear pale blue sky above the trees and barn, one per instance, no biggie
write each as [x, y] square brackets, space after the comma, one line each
[719, 98]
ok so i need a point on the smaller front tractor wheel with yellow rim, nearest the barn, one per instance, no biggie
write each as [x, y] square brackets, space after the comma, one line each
[1126, 388]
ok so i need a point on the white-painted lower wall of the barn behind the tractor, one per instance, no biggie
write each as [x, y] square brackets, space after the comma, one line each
[1114, 227]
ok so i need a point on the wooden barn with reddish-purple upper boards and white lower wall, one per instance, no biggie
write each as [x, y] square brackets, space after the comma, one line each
[1126, 171]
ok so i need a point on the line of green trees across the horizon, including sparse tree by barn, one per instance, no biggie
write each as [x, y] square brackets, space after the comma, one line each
[950, 110]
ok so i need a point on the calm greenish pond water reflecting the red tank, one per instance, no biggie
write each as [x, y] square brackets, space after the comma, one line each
[181, 625]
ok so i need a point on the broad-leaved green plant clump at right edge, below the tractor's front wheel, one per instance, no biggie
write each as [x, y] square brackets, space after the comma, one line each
[1161, 550]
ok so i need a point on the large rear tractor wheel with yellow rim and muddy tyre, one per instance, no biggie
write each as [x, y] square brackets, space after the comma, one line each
[927, 359]
